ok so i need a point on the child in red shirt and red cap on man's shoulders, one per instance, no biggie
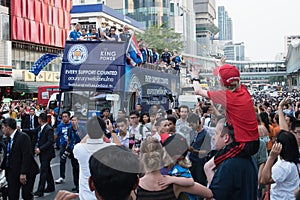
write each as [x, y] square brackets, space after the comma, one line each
[240, 116]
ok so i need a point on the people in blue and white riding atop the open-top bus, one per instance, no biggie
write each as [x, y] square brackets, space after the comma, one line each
[166, 61]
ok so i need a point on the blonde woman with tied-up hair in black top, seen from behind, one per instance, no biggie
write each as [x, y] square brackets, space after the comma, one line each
[154, 185]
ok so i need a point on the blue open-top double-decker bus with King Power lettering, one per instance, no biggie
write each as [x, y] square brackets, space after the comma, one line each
[97, 75]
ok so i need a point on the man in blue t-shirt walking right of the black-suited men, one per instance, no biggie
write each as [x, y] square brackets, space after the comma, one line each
[62, 135]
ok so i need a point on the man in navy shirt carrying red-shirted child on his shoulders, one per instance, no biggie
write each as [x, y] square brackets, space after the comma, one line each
[235, 178]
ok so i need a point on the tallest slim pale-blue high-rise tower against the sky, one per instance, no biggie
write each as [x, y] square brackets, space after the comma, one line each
[224, 24]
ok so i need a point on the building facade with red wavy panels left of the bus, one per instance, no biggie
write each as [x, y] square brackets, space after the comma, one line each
[36, 27]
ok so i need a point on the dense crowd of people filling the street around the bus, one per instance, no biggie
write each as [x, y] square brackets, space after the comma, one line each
[229, 146]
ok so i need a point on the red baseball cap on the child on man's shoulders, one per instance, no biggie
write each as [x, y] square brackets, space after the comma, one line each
[228, 74]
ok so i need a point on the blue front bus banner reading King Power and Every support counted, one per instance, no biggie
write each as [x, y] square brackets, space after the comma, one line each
[93, 65]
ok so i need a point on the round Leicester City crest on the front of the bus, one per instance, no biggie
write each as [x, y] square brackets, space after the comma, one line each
[77, 54]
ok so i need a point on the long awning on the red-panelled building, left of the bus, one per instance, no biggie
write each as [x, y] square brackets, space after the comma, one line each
[30, 87]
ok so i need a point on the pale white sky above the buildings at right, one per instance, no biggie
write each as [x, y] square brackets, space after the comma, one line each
[262, 25]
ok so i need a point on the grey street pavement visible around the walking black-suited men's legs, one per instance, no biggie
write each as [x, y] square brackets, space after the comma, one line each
[67, 185]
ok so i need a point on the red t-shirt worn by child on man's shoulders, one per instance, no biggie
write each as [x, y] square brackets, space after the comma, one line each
[240, 112]
